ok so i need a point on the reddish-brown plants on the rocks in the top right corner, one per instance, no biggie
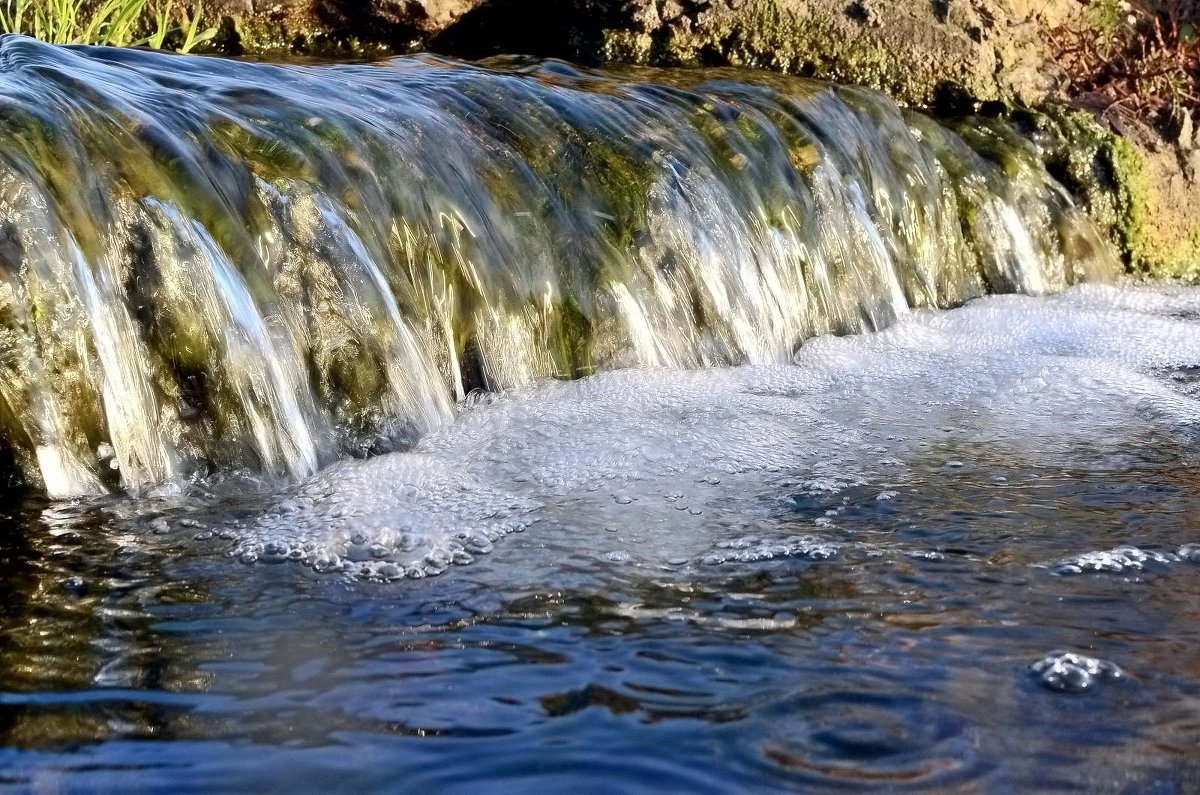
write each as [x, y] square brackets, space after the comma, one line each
[1135, 59]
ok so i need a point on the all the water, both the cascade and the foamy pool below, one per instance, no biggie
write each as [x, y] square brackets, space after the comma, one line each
[421, 427]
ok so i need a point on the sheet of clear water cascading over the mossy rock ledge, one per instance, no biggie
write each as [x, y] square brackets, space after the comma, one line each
[212, 265]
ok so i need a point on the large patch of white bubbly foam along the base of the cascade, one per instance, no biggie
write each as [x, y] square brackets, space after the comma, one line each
[680, 461]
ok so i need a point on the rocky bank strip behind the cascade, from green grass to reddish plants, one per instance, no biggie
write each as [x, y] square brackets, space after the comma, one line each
[922, 52]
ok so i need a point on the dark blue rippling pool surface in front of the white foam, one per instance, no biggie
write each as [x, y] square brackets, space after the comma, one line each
[904, 661]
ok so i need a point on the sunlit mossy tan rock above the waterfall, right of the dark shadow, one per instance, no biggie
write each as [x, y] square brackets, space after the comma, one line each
[920, 52]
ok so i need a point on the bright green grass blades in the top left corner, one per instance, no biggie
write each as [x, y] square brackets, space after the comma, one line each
[117, 23]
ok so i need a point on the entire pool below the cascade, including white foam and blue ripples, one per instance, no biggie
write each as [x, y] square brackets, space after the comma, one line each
[956, 555]
